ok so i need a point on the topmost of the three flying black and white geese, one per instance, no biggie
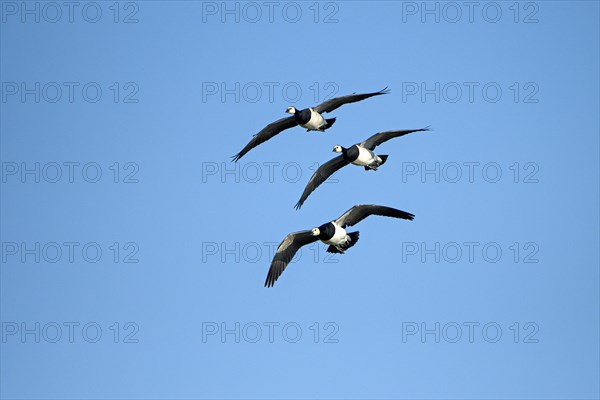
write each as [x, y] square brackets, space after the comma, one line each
[309, 118]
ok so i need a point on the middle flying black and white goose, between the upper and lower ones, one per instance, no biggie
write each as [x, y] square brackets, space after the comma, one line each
[360, 154]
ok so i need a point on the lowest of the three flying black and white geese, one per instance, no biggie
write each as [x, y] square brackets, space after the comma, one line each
[331, 233]
